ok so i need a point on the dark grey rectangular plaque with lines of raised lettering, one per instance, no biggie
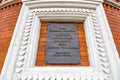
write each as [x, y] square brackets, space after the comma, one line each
[62, 44]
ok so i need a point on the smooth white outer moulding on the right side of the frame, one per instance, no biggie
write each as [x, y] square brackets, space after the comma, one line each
[109, 44]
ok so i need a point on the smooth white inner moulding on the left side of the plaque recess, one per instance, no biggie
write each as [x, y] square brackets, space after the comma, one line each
[32, 49]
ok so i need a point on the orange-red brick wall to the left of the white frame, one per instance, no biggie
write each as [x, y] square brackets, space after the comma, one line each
[8, 17]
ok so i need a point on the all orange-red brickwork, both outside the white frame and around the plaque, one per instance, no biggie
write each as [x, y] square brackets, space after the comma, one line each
[9, 14]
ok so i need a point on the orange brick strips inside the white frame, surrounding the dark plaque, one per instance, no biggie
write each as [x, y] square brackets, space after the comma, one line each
[40, 61]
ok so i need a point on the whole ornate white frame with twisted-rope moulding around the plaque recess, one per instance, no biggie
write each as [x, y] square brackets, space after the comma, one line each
[104, 61]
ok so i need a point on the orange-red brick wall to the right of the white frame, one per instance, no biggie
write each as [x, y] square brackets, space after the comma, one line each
[113, 16]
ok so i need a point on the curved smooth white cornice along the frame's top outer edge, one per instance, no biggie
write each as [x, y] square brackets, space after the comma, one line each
[57, 3]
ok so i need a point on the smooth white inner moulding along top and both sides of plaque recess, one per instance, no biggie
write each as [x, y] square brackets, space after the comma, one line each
[66, 18]
